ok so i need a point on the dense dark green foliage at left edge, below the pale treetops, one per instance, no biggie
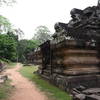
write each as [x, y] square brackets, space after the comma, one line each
[7, 47]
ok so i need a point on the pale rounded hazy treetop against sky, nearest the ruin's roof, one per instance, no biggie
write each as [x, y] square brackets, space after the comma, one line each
[42, 34]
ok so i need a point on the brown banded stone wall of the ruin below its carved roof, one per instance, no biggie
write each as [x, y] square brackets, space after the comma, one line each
[69, 64]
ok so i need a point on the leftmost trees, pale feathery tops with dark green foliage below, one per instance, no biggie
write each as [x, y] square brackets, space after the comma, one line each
[9, 40]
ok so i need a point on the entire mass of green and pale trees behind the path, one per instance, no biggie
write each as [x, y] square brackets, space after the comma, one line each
[12, 48]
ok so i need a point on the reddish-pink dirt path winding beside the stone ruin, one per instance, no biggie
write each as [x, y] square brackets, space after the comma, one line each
[25, 90]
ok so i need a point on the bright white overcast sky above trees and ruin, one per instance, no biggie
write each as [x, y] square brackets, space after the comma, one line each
[28, 14]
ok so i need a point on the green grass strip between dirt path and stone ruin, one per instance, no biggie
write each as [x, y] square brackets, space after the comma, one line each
[44, 85]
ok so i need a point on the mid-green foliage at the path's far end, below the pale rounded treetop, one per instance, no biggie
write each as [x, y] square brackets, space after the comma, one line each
[25, 47]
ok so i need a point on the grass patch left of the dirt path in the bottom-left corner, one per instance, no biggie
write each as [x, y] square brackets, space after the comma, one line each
[5, 90]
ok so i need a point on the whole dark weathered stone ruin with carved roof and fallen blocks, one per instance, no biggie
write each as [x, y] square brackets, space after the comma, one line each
[71, 60]
